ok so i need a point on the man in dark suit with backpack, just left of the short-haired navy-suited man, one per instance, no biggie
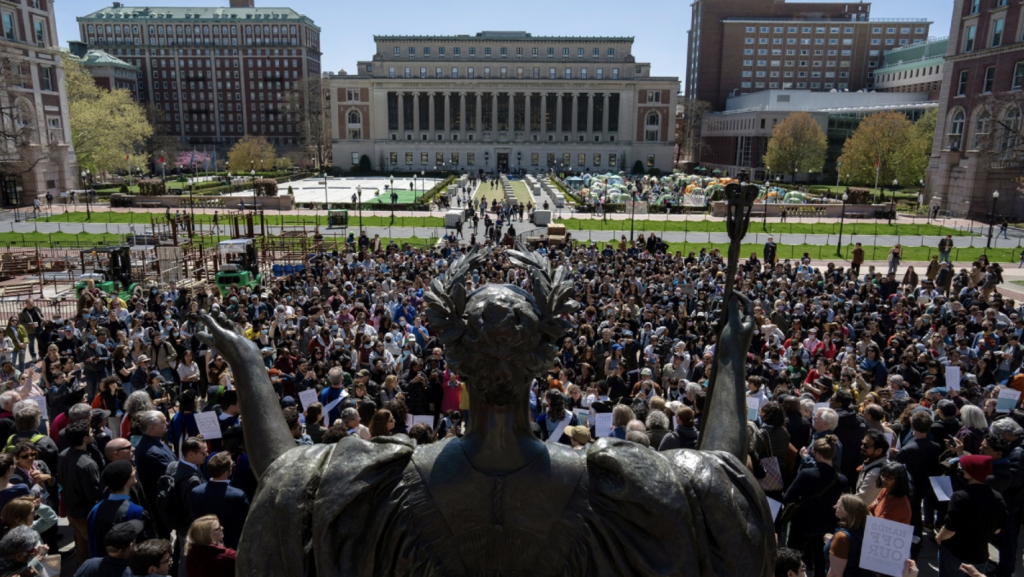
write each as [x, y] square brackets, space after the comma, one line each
[175, 490]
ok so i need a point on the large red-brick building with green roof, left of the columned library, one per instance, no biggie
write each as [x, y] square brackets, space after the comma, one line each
[218, 73]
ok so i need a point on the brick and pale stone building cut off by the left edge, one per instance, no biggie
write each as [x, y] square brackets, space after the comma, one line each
[34, 93]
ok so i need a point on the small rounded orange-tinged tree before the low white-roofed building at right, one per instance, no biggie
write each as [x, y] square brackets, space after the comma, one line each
[798, 145]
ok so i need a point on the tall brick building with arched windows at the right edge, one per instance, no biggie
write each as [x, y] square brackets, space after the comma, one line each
[978, 145]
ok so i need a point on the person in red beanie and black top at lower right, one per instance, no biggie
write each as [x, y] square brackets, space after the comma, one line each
[975, 514]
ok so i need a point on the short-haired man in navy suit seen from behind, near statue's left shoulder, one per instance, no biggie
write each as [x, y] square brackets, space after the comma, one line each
[219, 498]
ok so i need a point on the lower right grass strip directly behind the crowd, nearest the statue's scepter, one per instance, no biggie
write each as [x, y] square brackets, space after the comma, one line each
[823, 255]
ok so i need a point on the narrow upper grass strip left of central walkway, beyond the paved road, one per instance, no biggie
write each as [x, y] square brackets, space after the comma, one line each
[272, 220]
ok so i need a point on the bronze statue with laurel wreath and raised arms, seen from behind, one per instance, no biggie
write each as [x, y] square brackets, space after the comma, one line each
[500, 503]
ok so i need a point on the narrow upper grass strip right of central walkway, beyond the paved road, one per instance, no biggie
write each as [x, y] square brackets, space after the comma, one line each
[776, 228]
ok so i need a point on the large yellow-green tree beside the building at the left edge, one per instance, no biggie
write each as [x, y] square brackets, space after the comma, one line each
[107, 127]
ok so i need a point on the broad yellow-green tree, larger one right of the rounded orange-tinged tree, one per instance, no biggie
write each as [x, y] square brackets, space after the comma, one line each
[887, 140]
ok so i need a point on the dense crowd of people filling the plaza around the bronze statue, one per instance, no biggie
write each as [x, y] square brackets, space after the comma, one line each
[850, 372]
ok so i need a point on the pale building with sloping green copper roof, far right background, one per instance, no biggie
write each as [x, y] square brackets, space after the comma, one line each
[914, 69]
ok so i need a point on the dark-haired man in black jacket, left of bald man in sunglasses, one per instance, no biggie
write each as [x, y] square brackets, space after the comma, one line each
[79, 476]
